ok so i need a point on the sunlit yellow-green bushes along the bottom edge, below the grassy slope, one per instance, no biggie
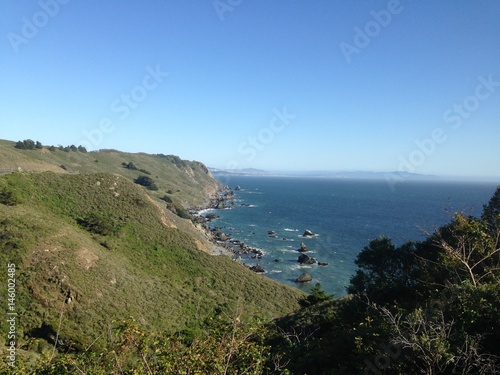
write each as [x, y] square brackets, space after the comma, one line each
[223, 347]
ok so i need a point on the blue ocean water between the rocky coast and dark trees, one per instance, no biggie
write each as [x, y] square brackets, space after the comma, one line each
[344, 214]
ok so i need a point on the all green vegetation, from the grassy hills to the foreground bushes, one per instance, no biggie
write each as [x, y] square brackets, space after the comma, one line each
[110, 282]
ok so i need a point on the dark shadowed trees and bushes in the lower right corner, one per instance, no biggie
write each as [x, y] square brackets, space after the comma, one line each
[429, 308]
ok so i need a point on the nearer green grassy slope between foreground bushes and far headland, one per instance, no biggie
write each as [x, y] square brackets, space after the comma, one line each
[144, 270]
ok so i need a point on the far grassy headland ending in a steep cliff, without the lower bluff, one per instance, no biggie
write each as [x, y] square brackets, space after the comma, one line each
[189, 181]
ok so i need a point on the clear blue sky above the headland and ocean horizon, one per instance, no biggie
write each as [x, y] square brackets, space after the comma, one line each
[277, 85]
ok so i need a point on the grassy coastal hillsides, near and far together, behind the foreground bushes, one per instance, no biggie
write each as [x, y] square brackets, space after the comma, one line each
[90, 246]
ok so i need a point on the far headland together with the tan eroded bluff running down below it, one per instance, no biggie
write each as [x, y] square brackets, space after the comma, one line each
[187, 184]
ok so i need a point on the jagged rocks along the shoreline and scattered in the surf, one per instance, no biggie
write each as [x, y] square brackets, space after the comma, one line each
[225, 245]
